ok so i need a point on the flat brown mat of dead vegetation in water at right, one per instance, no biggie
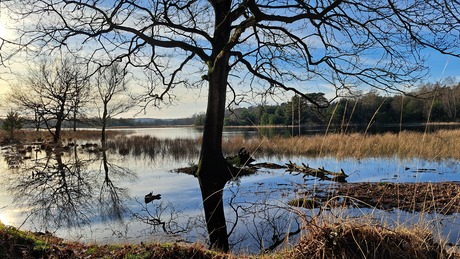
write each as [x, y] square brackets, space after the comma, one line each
[442, 198]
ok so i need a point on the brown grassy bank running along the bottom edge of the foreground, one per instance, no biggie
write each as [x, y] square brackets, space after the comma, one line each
[341, 239]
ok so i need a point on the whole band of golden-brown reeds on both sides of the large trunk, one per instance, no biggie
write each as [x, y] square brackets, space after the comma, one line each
[442, 144]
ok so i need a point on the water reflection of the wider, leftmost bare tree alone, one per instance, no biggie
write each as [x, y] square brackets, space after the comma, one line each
[55, 192]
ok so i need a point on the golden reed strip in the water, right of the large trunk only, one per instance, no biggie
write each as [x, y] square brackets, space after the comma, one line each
[442, 144]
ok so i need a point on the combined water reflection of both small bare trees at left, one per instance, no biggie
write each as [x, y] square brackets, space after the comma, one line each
[61, 190]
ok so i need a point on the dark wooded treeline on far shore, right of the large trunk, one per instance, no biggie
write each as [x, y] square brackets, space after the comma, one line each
[431, 102]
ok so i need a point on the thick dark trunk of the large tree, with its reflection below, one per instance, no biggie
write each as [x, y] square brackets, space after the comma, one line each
[213, 171]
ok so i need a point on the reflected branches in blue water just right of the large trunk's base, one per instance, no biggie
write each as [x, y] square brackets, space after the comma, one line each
[264, 225]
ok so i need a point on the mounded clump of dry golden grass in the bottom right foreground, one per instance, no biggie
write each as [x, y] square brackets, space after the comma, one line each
[362, 238]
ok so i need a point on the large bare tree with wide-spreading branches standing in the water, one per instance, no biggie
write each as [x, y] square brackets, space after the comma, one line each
[271, 46]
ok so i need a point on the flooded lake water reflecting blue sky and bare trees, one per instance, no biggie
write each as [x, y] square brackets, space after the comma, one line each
[94, 196]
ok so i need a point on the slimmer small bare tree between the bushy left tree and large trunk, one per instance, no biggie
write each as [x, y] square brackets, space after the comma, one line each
[112, 90]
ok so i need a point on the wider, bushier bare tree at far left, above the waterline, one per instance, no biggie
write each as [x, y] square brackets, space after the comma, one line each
[53, 92]
